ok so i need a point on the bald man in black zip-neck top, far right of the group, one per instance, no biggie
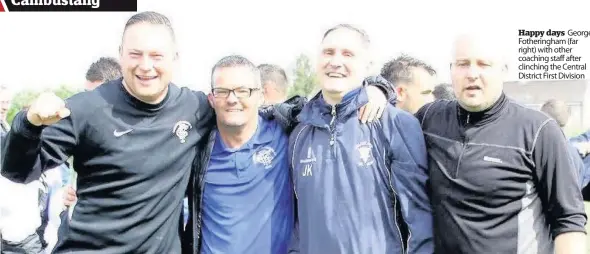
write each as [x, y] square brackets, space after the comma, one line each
[501, 176]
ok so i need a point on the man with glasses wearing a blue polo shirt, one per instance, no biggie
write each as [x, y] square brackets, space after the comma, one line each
[243, 194]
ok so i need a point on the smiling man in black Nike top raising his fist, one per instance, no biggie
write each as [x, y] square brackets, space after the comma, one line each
[133, 153]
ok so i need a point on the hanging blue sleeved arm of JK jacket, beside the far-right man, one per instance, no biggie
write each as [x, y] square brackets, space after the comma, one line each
[410, 173]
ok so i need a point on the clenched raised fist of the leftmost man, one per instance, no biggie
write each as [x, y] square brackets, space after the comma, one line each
[47, 109]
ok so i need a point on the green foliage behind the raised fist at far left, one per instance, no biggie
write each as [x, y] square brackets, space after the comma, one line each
[25, 98]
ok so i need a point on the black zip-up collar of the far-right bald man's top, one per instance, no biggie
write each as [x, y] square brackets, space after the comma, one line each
[480, 118]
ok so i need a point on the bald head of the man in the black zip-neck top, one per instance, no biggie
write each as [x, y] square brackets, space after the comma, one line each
[478, 70]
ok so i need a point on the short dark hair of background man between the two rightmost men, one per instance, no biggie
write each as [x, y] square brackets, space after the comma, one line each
[400, 69]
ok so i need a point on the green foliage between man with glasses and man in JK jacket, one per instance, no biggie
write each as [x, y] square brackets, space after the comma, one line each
[305, 80]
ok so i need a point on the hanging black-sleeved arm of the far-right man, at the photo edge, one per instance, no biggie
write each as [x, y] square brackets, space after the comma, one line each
[558, 187]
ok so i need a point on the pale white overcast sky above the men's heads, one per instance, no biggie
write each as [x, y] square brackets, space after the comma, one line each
[48, 49]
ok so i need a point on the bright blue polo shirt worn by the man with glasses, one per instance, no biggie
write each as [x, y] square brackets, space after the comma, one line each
[248, 198]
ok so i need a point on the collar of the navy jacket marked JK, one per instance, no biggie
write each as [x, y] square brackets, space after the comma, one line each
[319, 113]
